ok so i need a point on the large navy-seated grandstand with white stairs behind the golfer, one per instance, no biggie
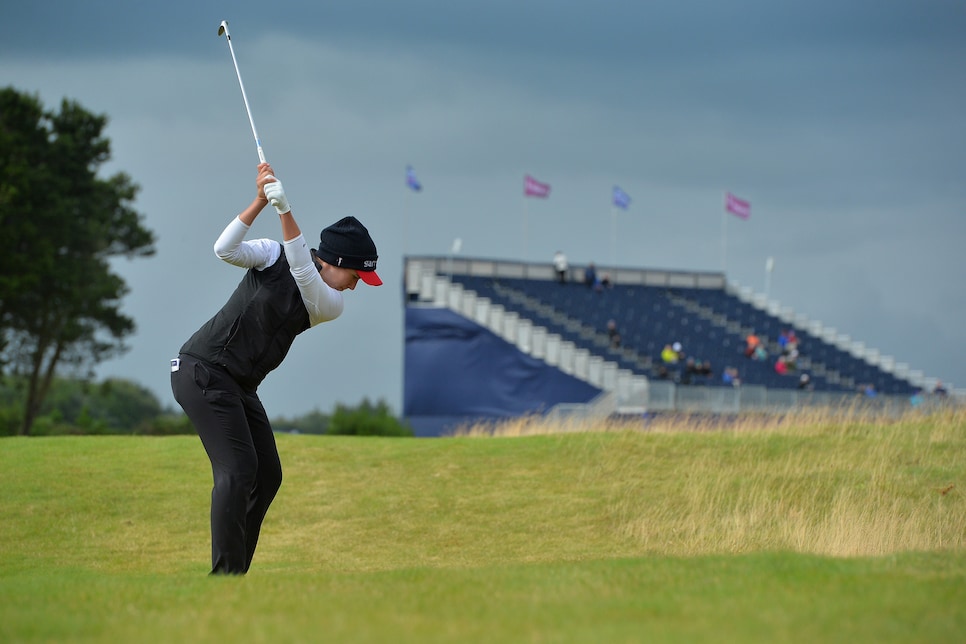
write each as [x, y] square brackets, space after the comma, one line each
[489, 339]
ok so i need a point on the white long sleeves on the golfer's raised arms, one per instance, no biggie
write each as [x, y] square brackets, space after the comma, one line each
[322, 302]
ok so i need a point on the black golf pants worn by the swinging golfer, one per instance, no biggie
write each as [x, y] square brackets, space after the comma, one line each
[247, 473]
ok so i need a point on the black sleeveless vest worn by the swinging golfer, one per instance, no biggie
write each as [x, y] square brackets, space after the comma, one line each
[254, 330]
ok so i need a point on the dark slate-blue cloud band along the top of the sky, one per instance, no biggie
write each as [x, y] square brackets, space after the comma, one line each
[611, 29]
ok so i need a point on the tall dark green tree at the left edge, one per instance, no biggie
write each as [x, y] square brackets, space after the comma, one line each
[59, 300]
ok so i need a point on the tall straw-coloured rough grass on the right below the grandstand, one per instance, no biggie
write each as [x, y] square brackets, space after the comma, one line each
[829, 481]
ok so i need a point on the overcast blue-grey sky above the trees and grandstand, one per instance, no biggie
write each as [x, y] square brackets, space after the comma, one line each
[841, 121]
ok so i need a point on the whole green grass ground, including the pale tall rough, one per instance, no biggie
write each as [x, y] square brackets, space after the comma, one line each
[824, 530]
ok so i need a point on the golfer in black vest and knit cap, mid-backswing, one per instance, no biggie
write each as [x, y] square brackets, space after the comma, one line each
[215, 377]
